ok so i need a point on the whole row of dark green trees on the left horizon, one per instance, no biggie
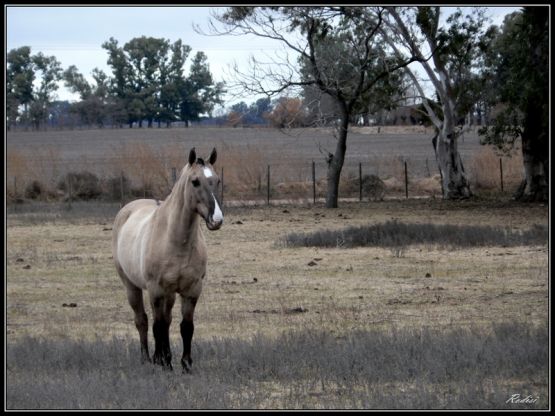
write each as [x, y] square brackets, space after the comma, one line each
[147, 85]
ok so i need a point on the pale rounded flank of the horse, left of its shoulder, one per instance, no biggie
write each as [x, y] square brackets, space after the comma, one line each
[128, 235]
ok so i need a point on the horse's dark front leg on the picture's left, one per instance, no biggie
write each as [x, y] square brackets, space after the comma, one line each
[161, 308]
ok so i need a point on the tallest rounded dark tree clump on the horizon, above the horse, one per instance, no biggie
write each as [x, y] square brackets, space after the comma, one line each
[148, 77]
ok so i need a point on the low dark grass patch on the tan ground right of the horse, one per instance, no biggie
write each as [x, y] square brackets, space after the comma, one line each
[397, 234]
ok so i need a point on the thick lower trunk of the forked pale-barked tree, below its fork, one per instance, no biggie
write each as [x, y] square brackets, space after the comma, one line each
[454, 183]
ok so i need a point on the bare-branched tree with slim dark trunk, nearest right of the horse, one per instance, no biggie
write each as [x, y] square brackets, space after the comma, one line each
[338, 50]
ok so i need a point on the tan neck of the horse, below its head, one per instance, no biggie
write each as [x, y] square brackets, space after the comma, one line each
[182, 221]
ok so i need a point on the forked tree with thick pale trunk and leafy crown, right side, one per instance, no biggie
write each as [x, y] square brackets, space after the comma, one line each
[456, 51]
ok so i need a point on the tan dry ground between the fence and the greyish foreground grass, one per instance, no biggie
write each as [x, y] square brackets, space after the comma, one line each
[61, 279]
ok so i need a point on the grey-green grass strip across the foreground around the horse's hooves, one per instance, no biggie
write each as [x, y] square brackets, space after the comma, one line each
[465, 368]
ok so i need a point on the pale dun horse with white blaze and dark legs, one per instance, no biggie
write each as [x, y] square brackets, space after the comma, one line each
[159, 247]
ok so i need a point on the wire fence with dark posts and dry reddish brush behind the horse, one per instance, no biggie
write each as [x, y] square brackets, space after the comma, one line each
[250, 182]
